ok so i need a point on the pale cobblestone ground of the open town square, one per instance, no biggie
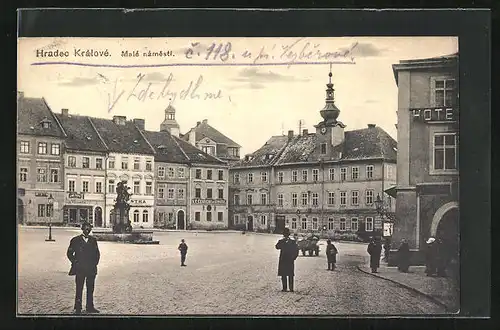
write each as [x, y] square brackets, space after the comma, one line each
[225, 274]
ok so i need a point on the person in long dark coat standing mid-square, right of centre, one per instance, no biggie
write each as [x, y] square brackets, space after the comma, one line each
[289, 251]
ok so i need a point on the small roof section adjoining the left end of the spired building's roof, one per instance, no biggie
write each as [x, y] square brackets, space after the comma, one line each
[265, 155]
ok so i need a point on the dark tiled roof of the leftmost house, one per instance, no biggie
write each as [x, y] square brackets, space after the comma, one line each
[31, 113]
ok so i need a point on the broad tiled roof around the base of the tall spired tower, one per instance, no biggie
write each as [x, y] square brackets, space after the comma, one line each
[367, 143]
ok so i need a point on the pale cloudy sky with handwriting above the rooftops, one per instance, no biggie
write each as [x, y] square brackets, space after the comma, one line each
[247, 102]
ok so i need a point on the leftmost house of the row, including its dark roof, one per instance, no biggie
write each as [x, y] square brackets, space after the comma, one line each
[40, 162]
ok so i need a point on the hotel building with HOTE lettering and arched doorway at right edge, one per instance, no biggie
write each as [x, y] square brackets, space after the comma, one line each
[428, 138]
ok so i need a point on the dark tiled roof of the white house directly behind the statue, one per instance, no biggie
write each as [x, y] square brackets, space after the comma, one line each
[122, 138]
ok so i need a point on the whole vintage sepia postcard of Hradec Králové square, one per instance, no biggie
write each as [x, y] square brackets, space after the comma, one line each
[238, 176]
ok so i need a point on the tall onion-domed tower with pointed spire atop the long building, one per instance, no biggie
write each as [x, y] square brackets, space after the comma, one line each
[330, 129]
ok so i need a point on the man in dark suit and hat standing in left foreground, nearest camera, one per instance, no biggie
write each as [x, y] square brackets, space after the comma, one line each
[84, 255]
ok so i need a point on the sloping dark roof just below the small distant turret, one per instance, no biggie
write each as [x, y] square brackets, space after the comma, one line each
[170, 149]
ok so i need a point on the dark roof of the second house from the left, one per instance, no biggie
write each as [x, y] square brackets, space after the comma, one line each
[81, 135]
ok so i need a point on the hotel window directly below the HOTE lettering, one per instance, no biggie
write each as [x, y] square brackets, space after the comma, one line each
[445, 151]
